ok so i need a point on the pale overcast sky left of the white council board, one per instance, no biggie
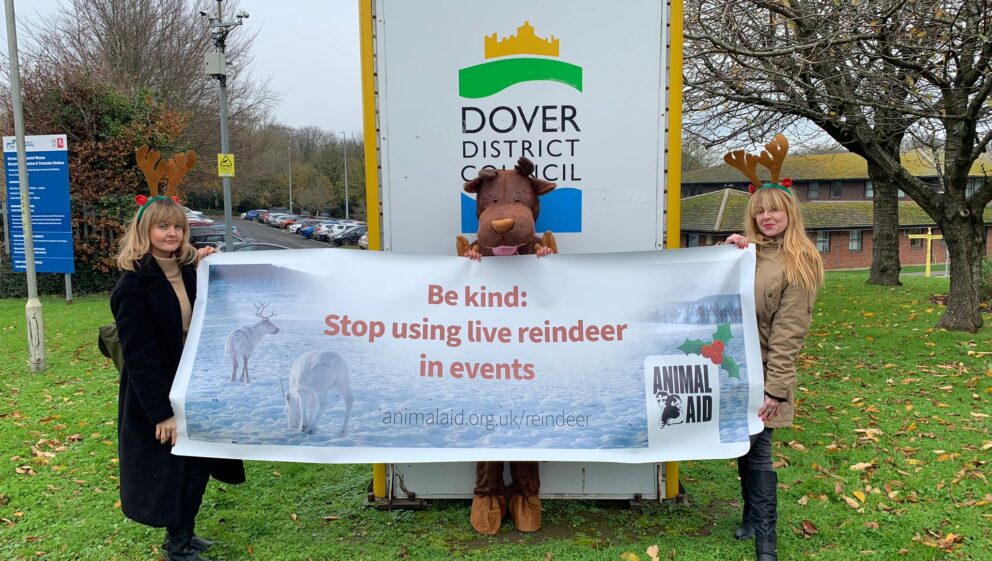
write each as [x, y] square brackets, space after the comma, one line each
[307, 49]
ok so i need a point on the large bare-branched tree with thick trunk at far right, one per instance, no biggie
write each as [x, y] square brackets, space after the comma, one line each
[868, 74]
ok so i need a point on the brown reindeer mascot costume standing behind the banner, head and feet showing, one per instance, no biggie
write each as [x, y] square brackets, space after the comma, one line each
[507, 206]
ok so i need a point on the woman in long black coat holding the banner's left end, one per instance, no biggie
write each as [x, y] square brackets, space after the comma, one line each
[152, 304]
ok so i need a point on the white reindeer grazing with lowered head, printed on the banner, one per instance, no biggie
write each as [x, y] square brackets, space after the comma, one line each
[311, 377]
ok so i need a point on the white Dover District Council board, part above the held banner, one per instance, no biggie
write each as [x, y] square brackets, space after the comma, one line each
[577, 86]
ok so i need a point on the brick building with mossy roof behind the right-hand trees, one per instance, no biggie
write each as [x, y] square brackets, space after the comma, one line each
[837, 208]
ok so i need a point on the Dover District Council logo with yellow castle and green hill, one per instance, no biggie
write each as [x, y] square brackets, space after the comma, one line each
[547, 131]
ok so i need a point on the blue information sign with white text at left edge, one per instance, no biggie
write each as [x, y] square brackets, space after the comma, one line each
[51, 221]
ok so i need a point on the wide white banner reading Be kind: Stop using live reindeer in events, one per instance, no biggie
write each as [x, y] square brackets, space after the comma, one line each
[385, 357]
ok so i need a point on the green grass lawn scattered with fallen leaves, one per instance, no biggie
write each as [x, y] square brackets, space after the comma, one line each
[890, 459]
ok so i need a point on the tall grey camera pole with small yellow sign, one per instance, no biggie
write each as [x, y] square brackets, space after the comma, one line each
[215, 65]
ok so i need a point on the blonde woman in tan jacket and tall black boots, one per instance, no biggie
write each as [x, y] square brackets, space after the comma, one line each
[789, 272]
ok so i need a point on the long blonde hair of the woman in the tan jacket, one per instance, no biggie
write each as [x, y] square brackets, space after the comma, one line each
[803, 265]
